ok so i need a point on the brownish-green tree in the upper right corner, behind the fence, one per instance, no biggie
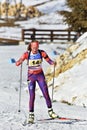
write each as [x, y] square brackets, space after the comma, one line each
[76, 16]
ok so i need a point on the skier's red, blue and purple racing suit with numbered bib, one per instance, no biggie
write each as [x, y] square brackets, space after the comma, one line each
[36, 74]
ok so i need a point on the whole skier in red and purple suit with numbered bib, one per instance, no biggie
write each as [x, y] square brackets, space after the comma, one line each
[34, 58]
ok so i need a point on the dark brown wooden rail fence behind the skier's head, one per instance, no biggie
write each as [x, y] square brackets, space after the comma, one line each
[45, 35]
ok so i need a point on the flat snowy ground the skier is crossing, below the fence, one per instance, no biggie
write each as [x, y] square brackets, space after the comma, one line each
[10, 118]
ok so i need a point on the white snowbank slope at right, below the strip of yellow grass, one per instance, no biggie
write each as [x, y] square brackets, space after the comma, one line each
[72, 84]
